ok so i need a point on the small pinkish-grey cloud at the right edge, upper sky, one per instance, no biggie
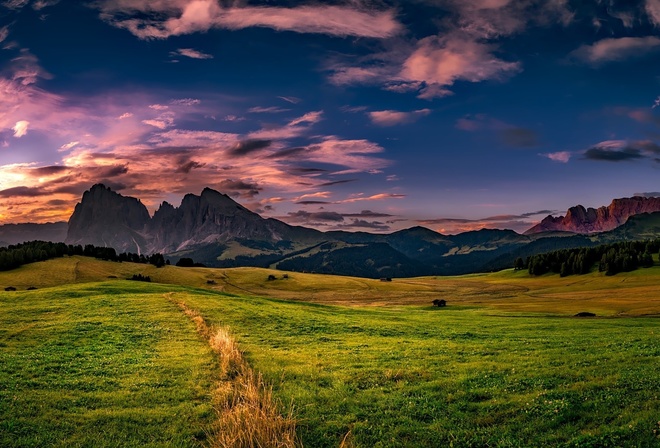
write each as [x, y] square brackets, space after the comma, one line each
[616, 49]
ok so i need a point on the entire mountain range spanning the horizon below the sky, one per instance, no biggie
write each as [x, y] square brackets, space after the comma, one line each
[215, 230]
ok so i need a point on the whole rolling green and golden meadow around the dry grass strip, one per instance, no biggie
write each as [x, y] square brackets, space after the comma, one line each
[91, 359]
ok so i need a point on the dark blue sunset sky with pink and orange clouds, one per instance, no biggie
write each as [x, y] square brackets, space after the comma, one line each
[360, 115]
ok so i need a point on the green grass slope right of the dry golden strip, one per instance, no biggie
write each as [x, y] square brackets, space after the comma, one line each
[452, 377]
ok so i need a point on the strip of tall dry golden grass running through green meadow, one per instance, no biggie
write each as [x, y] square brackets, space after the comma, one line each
[248, 416]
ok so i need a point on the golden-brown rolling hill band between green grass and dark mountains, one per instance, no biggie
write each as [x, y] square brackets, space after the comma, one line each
[626, 294]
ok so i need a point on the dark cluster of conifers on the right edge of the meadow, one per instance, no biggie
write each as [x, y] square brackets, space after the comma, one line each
[610, 258]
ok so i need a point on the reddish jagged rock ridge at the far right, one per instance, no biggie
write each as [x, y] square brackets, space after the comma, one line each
[590, 220]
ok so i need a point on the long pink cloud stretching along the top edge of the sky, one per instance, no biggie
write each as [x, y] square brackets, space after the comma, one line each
[163, 19]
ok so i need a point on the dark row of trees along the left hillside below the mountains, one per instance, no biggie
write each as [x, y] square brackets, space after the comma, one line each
[14, 256]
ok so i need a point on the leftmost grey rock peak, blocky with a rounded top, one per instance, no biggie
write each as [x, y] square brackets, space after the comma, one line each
[106, 218]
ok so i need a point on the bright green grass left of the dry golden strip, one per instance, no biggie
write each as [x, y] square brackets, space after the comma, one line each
[104, 366]
